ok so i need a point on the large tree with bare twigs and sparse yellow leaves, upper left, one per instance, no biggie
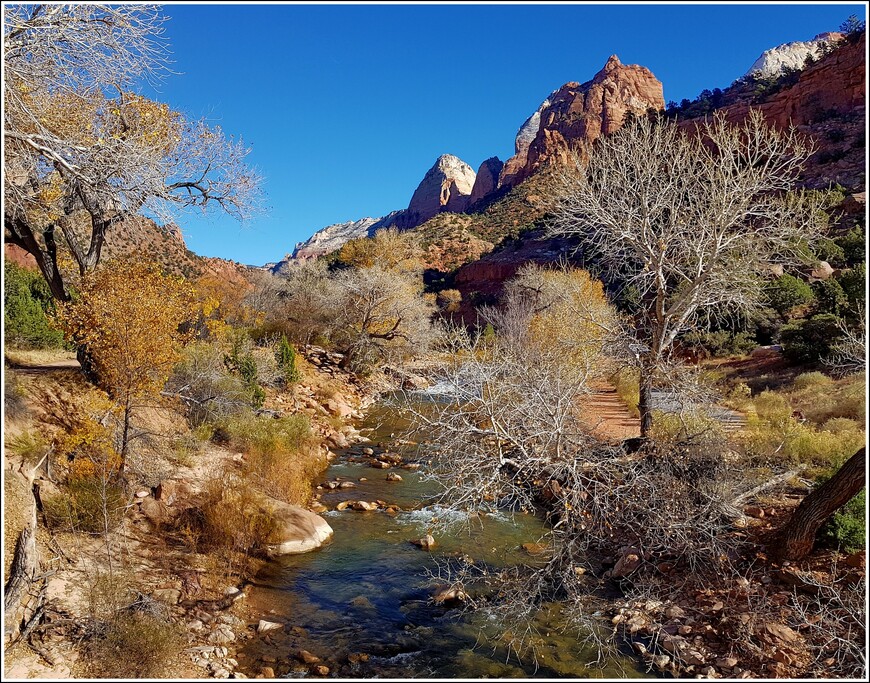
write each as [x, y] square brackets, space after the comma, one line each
[83, 152]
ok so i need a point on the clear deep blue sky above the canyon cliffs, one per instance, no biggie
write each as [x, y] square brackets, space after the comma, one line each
[347, 106]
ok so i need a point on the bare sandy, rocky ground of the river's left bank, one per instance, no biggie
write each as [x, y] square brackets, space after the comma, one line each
[144, 562]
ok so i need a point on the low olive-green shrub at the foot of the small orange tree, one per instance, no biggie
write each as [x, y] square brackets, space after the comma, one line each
[88, 504]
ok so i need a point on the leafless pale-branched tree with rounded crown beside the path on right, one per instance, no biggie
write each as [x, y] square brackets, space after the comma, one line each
[690, 220]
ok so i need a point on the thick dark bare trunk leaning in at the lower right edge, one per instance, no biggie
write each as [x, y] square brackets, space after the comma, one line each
[797, 536]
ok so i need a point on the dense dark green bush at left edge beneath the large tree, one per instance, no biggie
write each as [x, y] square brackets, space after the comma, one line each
[27, 304]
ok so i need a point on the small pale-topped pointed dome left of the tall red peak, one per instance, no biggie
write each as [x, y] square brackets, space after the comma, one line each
[446, 186]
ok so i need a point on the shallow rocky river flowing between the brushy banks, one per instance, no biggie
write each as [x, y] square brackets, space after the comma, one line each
[368, 592]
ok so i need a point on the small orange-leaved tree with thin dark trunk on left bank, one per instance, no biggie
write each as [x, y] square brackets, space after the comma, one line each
[128, 317]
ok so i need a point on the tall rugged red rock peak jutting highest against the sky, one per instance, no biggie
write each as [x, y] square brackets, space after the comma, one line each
[577, 113]
